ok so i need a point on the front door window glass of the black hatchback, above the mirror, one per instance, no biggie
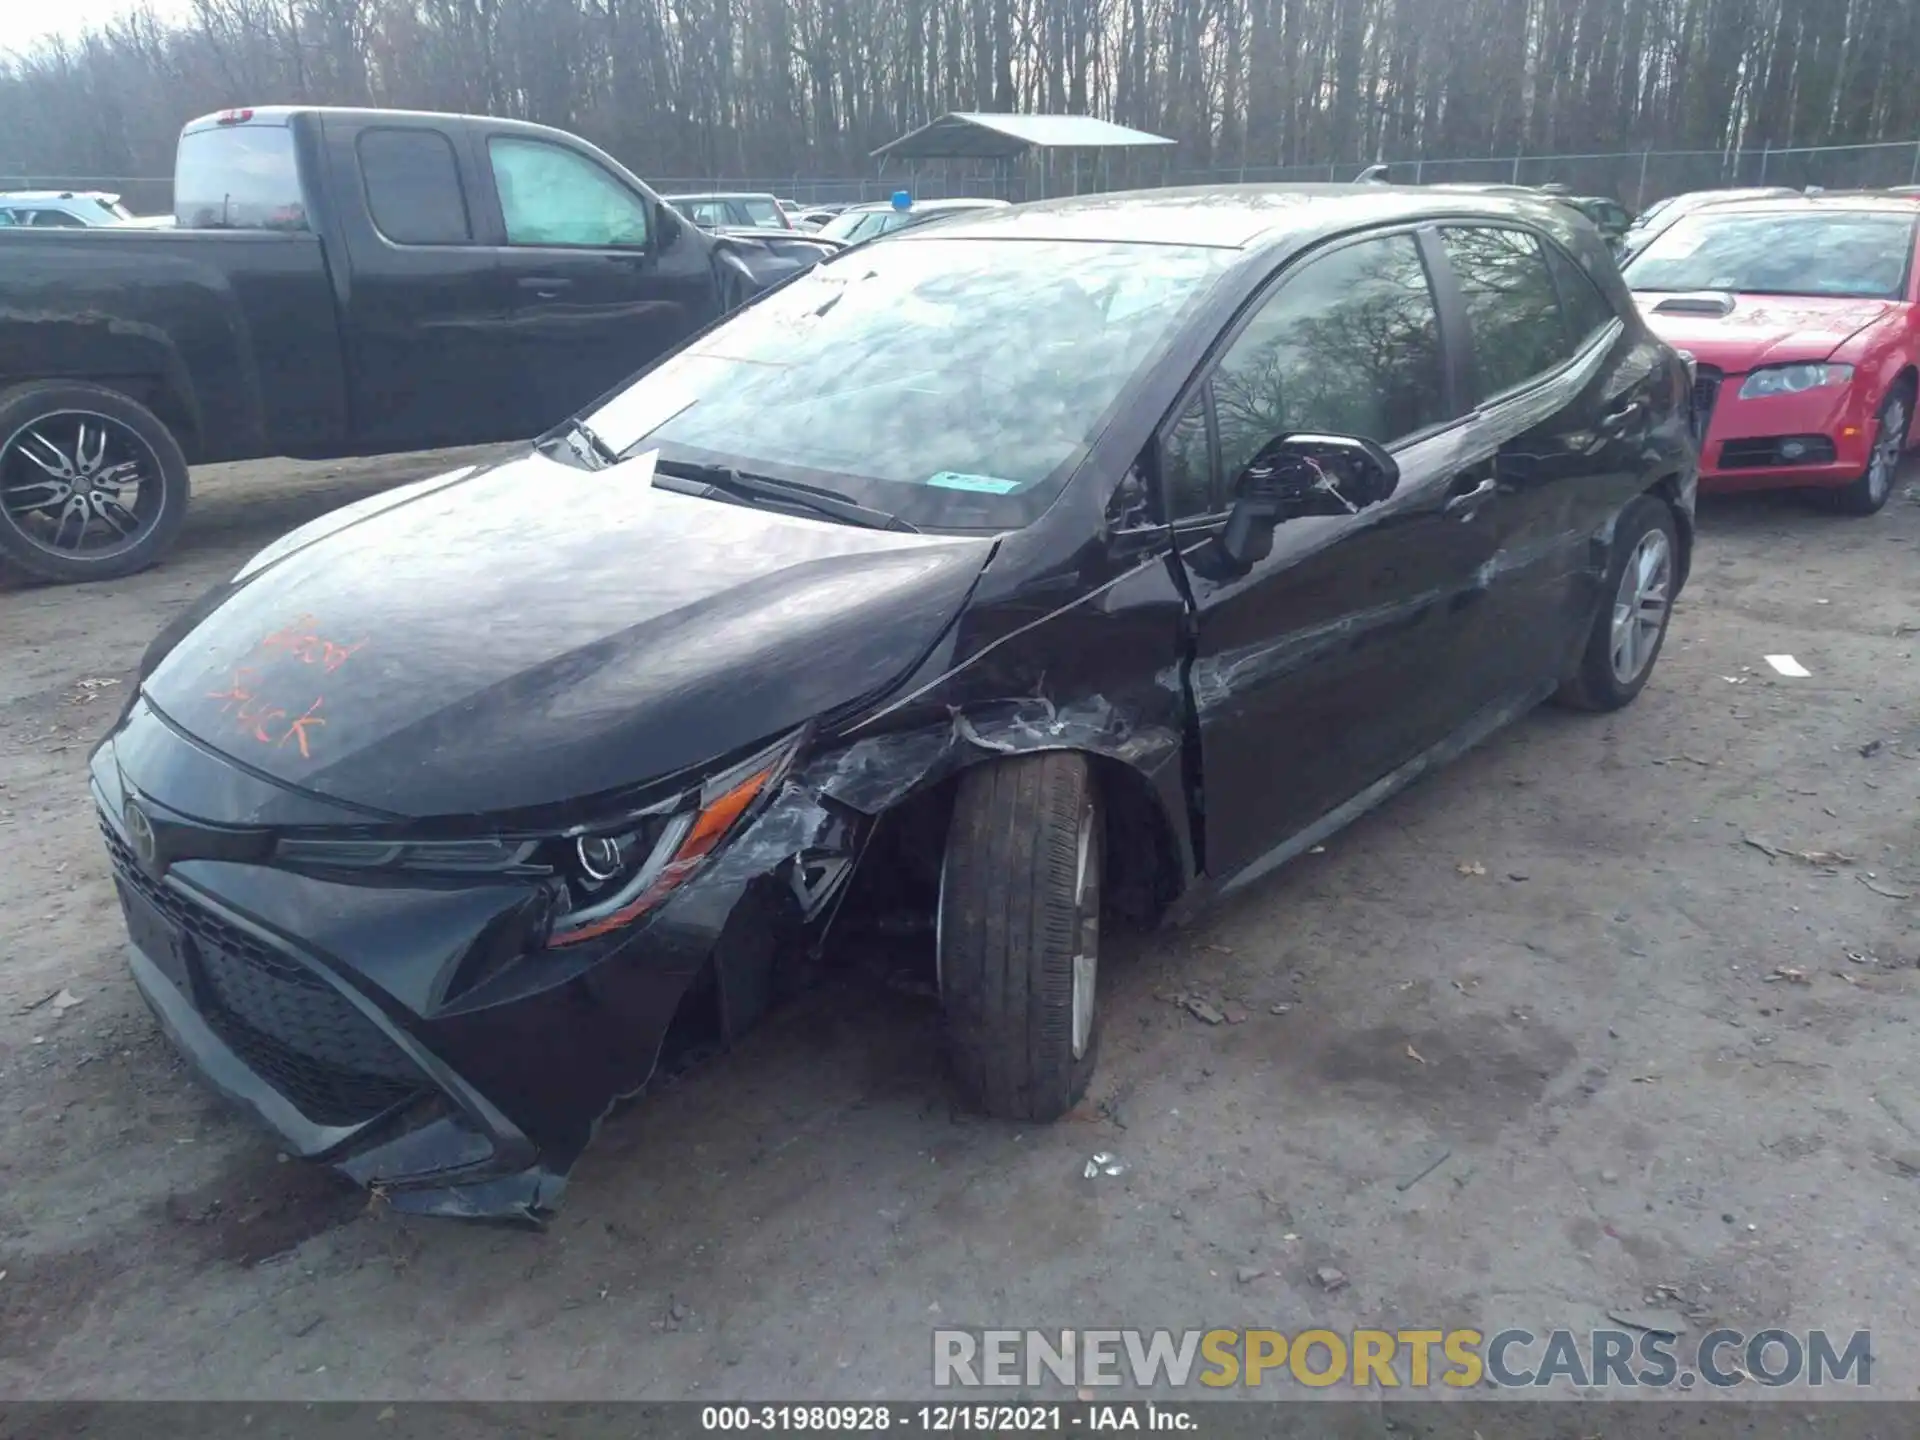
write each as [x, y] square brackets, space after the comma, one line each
[1349, 345]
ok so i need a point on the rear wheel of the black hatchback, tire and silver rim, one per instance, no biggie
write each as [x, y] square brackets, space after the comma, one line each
[1648, 544]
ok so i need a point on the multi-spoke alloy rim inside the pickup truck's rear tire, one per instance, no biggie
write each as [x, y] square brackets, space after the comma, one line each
[80, 485]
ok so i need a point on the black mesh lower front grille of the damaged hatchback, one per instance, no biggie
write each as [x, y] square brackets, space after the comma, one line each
[293, 1028]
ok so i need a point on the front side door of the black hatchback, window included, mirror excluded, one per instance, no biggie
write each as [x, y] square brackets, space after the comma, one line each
[1360, 640]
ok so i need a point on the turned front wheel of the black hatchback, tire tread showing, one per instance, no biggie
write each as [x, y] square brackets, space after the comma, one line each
[1019, 917]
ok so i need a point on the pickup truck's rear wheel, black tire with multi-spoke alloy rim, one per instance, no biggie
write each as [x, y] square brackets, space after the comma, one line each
[93, 487]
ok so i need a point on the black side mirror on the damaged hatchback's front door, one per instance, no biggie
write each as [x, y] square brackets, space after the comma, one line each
[1303, 475]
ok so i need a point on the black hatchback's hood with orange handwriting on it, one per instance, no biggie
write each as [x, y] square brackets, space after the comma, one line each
[535, 633]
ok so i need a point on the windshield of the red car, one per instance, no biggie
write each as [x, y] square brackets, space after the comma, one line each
[1775, 254]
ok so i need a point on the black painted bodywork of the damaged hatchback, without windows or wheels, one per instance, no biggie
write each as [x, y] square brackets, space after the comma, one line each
[1353, 660]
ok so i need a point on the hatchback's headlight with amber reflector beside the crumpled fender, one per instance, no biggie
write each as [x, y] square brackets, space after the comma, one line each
[615, 875]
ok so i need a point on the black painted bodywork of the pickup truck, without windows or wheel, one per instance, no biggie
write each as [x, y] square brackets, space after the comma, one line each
[335, 341]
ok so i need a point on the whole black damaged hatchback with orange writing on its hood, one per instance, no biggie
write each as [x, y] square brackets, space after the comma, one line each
[1051, 565]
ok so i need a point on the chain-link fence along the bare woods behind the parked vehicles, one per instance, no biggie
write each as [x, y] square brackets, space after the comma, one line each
[1635, 178]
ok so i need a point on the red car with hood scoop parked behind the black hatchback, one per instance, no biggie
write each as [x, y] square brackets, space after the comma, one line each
[1804, 320]
